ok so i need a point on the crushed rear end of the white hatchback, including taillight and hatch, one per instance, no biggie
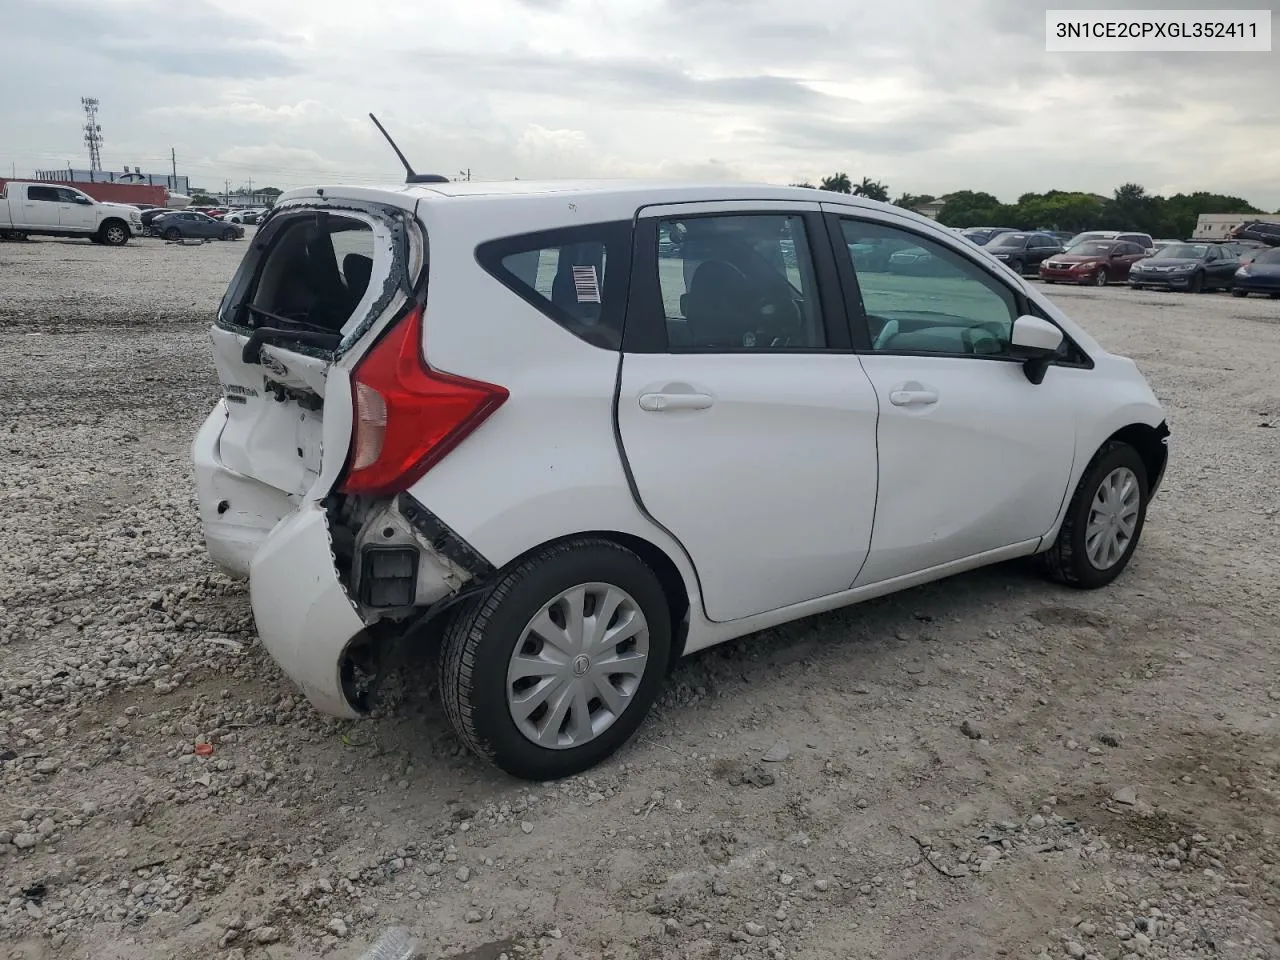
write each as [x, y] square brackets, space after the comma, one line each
[331, 412]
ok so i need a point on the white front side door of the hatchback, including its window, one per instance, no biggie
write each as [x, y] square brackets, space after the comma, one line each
[973, 456]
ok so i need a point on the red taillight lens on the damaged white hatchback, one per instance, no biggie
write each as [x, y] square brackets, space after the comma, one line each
[409, 417]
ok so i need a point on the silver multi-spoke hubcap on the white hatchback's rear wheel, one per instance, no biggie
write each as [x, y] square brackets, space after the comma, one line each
[578, 666]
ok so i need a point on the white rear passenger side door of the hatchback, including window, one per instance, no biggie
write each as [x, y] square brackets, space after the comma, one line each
[748, 424]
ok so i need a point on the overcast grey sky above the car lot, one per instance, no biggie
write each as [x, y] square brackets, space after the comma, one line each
[925, 95]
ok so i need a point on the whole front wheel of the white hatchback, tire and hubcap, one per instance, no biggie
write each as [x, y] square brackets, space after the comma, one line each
[1104, 522]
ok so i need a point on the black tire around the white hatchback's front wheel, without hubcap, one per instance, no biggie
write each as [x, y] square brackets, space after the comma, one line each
[1068, 561]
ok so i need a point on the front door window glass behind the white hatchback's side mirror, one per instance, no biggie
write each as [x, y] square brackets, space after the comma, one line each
[931, 300]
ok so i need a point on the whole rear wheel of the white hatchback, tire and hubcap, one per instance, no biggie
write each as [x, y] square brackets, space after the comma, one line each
[555, 668]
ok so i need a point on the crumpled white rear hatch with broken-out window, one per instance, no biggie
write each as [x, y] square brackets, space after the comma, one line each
[307, 303]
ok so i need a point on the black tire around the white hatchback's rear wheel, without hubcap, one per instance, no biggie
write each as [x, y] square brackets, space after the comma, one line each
[482, 634]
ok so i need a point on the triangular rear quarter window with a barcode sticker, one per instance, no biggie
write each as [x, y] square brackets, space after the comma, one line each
[577, 277]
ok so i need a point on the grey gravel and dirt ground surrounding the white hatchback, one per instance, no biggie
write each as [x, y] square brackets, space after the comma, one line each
[984, 767]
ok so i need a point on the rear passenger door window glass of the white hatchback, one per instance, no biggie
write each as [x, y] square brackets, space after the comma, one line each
[739, 282]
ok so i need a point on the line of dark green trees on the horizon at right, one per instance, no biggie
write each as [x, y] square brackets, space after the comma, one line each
[1130, 208]
